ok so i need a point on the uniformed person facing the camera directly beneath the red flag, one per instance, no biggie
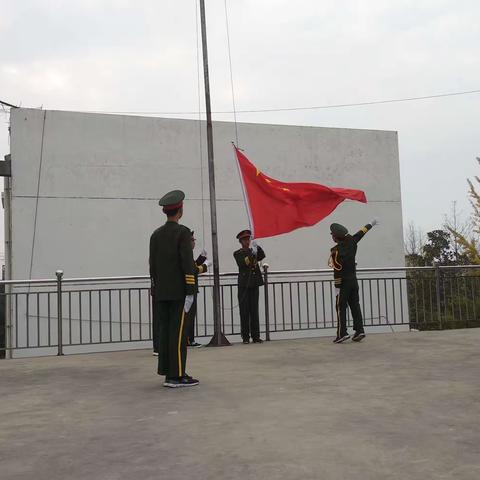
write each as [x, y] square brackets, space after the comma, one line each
[249, 280]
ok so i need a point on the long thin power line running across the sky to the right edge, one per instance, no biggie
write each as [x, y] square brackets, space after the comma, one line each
[289, 109]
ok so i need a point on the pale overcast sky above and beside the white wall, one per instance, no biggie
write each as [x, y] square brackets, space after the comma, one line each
[123, 55]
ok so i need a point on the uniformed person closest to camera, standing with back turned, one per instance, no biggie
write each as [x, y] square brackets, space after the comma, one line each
[172, 274]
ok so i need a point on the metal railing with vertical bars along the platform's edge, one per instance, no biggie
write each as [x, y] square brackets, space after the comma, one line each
[70, 313]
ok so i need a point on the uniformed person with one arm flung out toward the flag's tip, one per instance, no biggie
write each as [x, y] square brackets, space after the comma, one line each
[342, 260]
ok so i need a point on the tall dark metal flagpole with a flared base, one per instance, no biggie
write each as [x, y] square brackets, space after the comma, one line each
[218, 338]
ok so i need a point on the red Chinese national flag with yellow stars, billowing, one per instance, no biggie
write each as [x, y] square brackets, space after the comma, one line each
[276, 207]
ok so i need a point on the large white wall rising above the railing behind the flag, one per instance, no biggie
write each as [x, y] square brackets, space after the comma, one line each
[102, 175]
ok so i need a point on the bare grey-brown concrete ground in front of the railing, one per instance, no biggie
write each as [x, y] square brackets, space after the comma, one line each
[404, 406]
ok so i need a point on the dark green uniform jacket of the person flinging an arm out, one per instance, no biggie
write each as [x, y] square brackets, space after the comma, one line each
[342, 256]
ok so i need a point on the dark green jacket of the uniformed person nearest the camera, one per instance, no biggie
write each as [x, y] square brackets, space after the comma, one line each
[172, 269]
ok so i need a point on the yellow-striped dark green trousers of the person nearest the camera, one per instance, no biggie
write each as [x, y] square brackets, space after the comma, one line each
[169, 317]
